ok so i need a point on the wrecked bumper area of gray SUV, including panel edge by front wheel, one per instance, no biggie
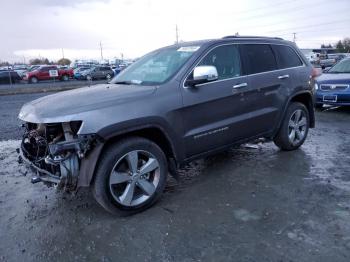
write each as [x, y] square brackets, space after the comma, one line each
[65, 164]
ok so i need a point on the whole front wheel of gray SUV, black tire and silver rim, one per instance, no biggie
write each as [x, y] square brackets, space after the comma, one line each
[130, 176]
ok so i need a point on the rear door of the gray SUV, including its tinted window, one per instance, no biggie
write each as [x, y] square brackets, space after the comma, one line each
[267, 87]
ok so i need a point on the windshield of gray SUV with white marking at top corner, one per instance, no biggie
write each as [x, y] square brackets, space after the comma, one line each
[156, 67]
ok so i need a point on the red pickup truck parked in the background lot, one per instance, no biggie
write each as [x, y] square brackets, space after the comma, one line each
[48, 72]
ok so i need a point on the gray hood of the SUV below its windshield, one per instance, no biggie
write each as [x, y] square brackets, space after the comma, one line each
[65, 106]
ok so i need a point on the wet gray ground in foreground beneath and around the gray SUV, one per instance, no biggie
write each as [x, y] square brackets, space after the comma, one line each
[252, 203]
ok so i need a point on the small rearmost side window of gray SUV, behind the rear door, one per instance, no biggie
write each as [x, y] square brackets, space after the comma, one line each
[286, 57]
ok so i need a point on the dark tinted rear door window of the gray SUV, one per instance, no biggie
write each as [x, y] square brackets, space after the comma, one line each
[258, 58]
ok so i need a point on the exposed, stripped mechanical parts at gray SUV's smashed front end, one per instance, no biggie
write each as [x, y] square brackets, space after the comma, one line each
[56, 152]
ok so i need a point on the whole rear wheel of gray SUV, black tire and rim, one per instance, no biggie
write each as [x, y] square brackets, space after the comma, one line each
[294, 128]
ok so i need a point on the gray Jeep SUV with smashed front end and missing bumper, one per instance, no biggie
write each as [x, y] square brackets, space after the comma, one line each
[172, 106]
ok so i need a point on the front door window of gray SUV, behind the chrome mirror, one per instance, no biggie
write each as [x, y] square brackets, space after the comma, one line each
[226, 59]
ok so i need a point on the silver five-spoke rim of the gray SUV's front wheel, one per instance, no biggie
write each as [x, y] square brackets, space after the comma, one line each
[134, 178]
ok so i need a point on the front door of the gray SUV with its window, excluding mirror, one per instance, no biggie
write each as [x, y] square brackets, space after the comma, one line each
[214, 113]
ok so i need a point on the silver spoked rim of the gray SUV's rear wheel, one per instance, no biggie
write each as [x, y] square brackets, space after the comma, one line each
[297, 127]
